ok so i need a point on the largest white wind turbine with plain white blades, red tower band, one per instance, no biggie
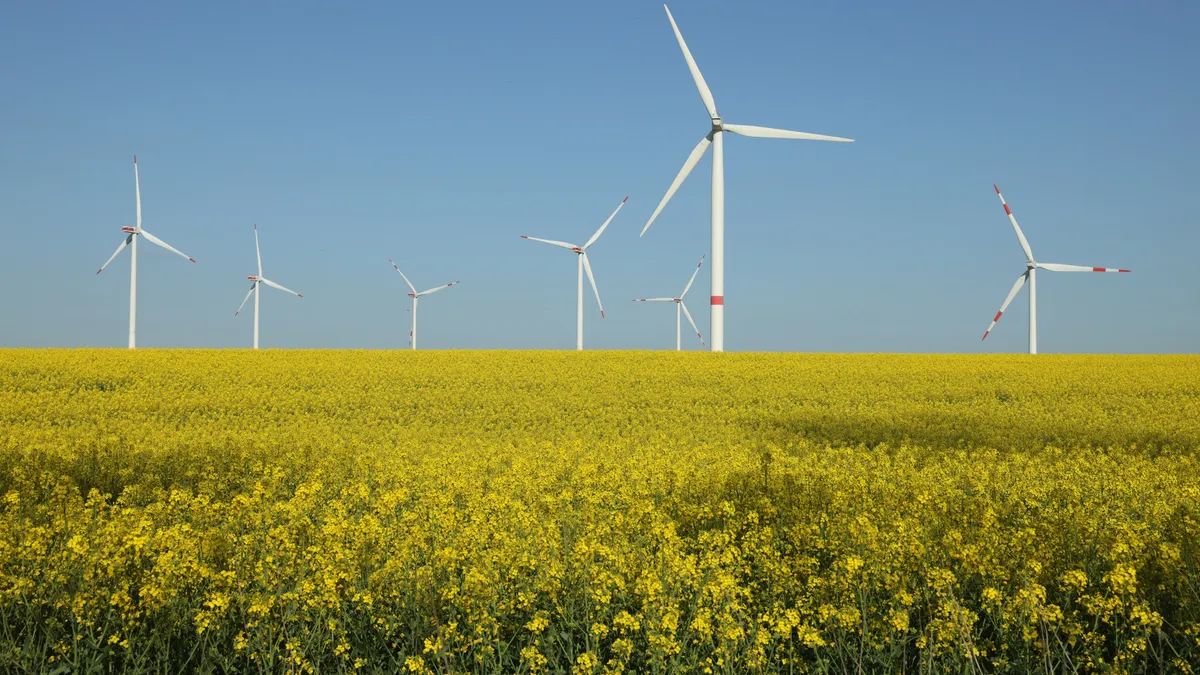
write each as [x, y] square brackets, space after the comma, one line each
[715, 139]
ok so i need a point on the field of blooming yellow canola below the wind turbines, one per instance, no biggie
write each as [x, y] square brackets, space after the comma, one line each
[601, 512]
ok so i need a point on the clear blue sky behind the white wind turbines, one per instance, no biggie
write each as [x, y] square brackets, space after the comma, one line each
[437, 134]
